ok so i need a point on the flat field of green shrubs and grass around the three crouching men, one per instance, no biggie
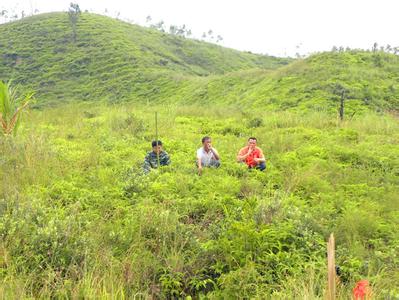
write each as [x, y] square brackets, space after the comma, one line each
[79, 220]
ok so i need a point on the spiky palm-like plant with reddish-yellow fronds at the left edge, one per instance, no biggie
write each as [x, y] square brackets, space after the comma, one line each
[11, 106]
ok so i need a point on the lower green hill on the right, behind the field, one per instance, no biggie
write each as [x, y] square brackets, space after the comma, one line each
[370, 81]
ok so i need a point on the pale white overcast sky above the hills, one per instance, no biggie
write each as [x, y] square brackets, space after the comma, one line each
[275, 27]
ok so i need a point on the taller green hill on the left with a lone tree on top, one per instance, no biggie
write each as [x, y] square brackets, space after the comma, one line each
[110, 59]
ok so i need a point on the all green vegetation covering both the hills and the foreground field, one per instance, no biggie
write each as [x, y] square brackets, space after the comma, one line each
[79, 219]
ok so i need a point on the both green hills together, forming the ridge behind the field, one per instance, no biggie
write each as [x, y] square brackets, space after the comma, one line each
[116, 61]
